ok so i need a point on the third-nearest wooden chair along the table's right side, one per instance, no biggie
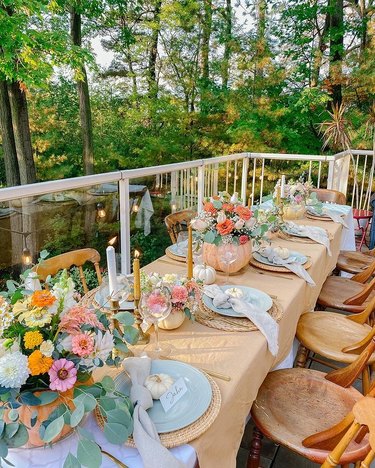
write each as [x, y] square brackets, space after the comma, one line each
[350, 295]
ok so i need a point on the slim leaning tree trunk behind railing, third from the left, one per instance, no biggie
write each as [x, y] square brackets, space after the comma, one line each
[84, 98]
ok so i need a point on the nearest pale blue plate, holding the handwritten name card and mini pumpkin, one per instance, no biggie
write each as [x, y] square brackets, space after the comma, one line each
[189, 408]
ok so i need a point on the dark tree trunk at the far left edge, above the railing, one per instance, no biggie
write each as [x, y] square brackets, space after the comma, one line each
[9, 145]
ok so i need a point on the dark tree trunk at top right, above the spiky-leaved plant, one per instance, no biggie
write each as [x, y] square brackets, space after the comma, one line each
[336, 49]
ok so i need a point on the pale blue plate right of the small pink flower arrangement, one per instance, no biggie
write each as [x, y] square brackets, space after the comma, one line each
[250, 295]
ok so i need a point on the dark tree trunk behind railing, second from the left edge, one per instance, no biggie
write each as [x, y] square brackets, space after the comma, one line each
[21, 132]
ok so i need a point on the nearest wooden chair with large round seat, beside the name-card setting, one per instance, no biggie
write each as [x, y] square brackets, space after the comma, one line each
[292, 404]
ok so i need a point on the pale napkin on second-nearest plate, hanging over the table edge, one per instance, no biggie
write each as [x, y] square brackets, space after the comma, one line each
[261, 319]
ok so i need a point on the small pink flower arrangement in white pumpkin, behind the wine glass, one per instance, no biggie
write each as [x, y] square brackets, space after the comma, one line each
[184, 293]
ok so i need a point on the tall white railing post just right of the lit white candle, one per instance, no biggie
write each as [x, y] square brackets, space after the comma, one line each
[124, 204]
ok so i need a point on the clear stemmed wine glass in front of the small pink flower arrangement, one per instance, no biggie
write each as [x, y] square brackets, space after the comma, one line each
[154, 307]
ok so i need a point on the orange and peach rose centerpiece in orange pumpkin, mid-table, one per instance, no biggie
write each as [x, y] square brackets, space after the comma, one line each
[225, 220]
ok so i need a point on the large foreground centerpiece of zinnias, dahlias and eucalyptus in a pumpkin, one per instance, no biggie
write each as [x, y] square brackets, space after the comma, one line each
[49, 347]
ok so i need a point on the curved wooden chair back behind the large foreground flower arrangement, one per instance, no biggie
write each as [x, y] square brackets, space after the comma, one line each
[66, 260]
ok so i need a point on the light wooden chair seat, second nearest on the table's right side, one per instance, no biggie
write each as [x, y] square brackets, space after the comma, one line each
[327, 333]
